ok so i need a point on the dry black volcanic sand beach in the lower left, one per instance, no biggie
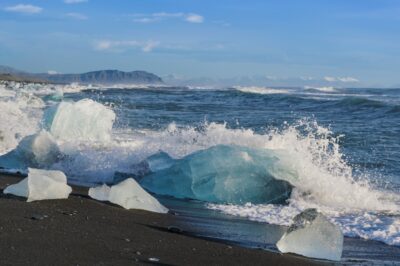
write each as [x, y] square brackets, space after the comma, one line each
[82, 231]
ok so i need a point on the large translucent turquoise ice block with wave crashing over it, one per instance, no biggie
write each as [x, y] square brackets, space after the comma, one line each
[221, 174]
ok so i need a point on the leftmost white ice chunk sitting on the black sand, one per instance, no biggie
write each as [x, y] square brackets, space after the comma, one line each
[41, 185]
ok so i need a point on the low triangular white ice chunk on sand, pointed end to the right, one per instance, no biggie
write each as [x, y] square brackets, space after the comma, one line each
[128, 194]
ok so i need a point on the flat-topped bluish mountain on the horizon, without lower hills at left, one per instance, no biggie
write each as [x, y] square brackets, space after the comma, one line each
[105, 77]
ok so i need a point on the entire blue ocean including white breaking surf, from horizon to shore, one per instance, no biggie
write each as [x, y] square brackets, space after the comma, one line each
[342, 144]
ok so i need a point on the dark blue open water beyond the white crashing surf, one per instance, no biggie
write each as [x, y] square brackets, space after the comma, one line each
[368, 119]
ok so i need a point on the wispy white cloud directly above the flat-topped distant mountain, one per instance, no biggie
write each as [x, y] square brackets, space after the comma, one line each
[120, 46]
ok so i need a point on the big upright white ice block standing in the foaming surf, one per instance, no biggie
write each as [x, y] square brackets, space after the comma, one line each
[85, 120]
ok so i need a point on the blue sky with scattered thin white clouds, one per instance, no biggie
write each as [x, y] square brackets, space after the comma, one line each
[346, 42]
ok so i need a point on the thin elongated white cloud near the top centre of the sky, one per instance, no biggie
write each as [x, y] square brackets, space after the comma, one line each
[156, 17]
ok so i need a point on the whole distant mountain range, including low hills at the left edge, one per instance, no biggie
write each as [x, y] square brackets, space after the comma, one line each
[101, 77]
